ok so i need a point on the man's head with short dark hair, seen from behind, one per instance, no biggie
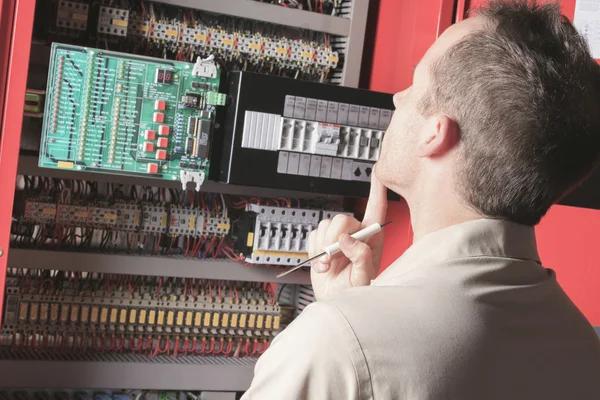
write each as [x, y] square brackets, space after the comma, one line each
[506, 105]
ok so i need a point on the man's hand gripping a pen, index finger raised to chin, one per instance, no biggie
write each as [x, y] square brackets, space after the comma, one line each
[358, 262]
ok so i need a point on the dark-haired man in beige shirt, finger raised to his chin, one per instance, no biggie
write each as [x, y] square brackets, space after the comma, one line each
[502, 119]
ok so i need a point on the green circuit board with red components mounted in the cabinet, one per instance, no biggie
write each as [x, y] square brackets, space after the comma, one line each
[131, 115]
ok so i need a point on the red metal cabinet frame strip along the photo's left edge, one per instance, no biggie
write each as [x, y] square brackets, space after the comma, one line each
[16, 25]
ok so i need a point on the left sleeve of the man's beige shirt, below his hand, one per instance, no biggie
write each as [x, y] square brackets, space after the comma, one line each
[307, 360]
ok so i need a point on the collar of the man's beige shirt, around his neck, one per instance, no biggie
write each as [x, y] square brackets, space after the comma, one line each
[479, 238]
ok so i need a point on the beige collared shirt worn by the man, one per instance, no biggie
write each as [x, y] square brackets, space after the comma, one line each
[467, 312]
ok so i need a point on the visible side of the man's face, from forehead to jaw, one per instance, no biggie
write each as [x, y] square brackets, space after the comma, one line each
[399, 165]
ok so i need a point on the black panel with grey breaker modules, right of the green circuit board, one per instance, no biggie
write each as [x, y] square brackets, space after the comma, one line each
[302, 136]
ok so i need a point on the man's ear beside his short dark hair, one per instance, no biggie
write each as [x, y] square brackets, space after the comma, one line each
[441, 135]
